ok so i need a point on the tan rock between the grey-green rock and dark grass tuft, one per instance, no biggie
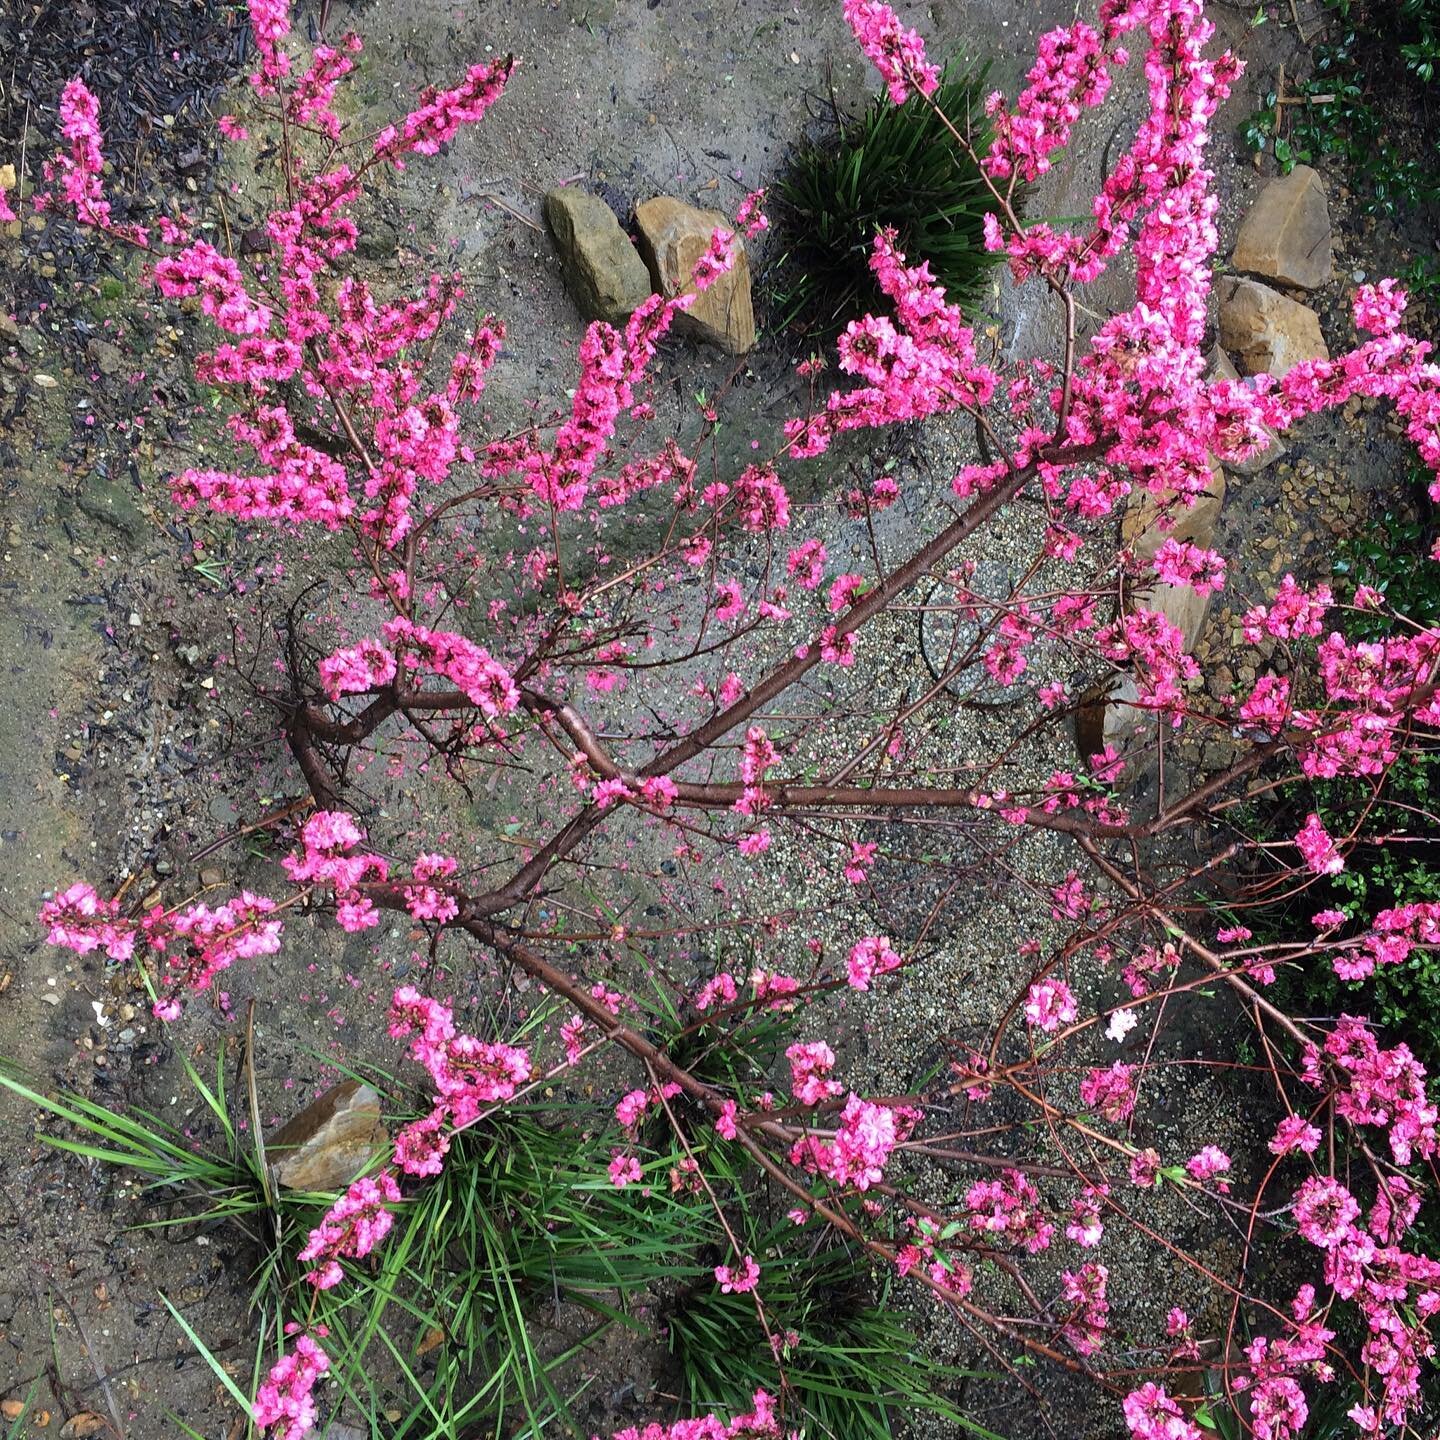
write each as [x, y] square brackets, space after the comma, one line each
[673, 237]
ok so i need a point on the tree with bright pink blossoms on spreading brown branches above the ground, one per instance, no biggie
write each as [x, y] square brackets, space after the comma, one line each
[718, 695]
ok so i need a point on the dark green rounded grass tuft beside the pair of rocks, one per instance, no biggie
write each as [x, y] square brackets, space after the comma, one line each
[898, 168]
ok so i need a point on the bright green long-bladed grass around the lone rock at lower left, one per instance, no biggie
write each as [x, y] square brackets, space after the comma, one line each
[456, 1328]
